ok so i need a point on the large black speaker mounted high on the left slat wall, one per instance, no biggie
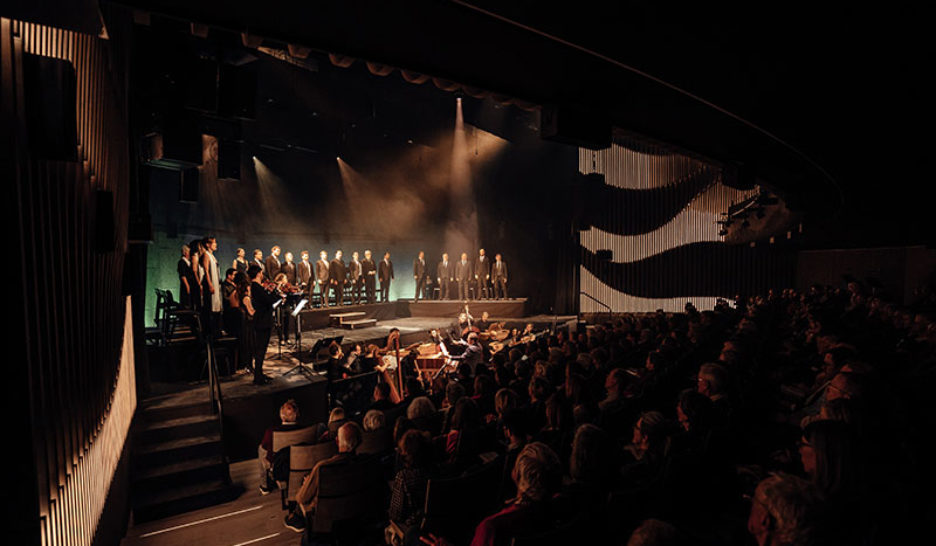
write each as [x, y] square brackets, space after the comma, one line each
[51, 111]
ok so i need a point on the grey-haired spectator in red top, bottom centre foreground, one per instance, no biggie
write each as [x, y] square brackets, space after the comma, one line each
[537, 475]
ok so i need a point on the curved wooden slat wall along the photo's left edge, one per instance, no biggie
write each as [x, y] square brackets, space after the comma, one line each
[80, 373]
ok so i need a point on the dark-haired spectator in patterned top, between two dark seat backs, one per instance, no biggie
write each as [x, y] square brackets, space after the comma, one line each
[408, 494]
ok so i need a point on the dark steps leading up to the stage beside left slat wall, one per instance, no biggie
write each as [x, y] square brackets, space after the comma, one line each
[178, 462]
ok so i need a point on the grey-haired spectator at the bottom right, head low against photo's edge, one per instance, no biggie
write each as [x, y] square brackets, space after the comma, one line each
[781, 509]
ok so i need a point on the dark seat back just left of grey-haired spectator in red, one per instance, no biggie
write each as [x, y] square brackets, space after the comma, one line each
[455, 506]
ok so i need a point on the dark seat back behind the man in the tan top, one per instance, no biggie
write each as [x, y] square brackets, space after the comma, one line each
[350, 491]
